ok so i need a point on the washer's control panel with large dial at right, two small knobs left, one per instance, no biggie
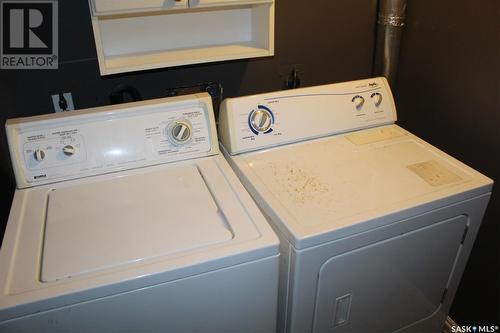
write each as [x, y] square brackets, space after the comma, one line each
[51, 148]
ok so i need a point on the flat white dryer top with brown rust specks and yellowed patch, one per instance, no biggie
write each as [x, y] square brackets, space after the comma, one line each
[327, 189]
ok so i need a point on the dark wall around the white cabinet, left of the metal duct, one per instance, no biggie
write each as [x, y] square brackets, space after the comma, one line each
[331, 41]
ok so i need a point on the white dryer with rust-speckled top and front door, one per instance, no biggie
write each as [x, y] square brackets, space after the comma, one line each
[375, 224]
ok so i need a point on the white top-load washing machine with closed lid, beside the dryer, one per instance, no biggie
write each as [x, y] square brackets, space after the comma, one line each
[127, 219]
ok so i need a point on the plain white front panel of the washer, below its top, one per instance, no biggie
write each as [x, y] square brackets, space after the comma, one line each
[242, 298]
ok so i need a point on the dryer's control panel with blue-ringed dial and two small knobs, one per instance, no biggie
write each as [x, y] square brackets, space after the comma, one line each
[261, 121]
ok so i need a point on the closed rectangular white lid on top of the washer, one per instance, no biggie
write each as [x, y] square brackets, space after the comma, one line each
[95, 226]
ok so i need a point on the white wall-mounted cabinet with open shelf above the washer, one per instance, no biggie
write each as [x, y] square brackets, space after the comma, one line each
[133, 35]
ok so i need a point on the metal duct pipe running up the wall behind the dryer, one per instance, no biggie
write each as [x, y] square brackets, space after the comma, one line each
[391, 19]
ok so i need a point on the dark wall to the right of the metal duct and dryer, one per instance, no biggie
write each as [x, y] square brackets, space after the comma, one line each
[448, 92]
